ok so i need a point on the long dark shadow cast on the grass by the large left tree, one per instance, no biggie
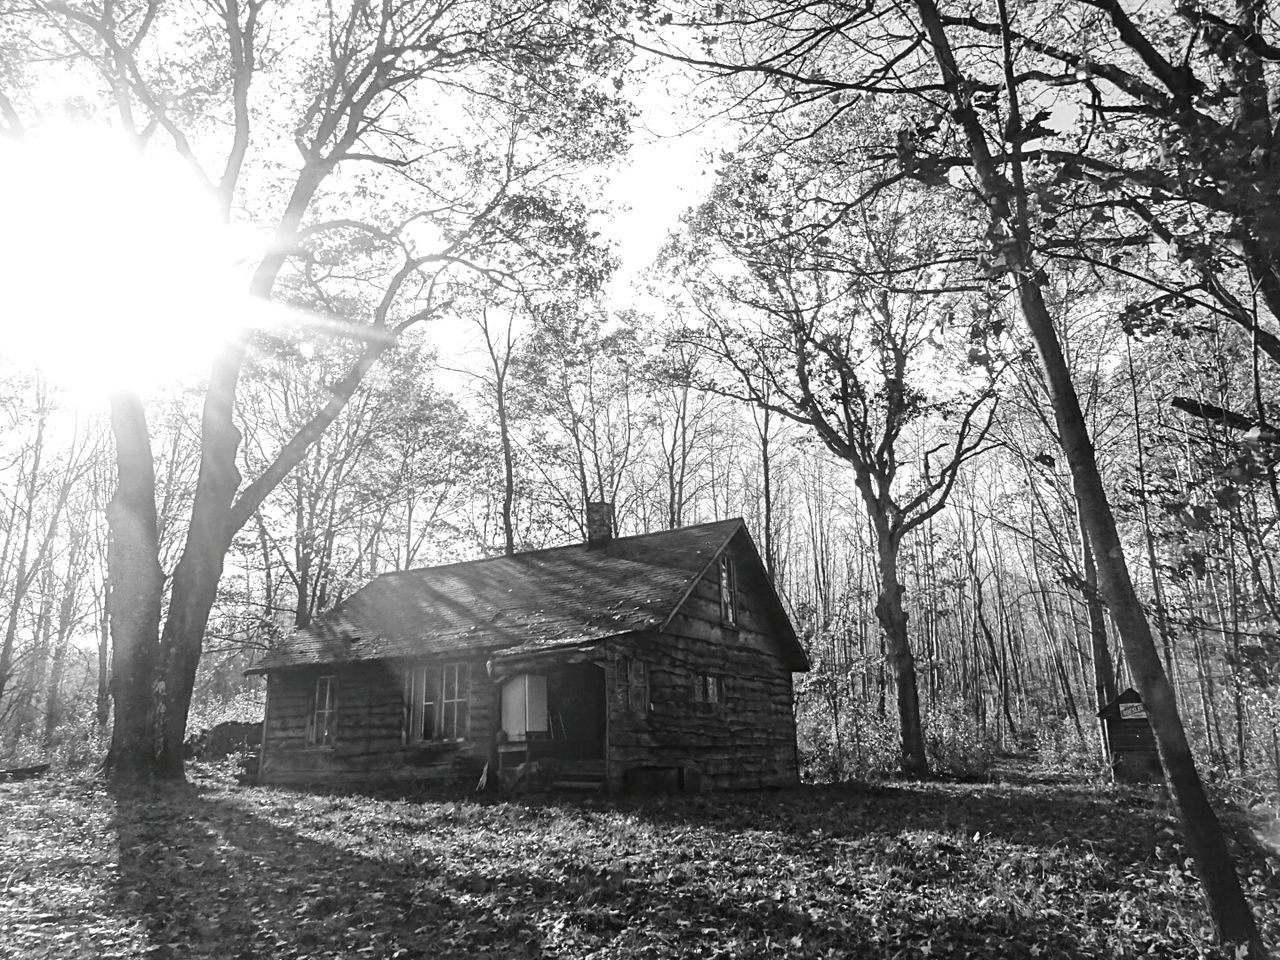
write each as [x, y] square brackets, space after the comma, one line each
[212, 880]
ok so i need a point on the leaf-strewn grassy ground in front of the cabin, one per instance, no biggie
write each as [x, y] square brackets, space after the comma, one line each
[213, 870]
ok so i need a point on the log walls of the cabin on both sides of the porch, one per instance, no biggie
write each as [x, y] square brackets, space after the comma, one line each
[747, 740]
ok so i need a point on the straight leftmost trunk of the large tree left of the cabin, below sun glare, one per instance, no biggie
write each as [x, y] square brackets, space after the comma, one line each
[136, 587]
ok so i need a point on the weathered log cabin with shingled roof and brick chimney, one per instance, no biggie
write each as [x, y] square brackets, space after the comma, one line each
[652, 662]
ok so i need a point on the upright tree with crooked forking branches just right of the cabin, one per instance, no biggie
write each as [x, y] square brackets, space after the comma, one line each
[842, 317]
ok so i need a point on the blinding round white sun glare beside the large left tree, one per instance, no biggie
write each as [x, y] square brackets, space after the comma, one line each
[118, 272]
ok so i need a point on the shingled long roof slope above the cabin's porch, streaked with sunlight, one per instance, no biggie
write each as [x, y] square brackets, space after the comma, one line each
[542, 600]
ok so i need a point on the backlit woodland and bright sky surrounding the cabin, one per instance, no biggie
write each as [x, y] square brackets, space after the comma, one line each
[972, 312]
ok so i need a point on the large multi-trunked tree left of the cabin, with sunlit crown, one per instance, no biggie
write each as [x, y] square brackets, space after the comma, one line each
[474, 195]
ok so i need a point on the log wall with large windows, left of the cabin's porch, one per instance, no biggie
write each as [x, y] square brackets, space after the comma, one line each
[371, 740]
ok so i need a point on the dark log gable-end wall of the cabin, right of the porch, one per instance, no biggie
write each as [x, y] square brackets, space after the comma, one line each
[746, 742]
